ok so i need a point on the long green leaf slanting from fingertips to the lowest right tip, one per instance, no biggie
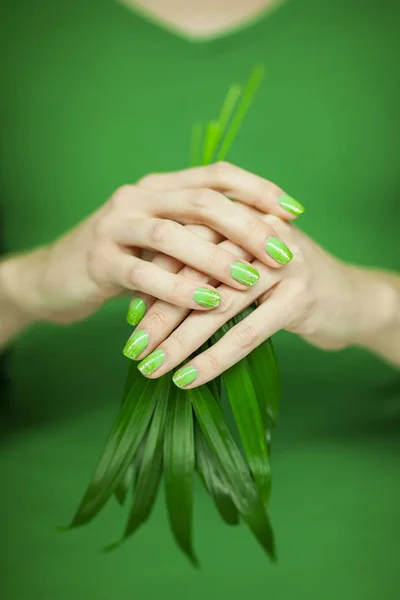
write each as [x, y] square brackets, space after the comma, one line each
[231, 463]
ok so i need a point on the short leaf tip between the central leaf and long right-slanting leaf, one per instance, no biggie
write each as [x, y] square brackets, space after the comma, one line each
[212, 480]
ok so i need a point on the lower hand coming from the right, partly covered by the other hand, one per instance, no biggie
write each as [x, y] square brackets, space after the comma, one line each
[329, 303]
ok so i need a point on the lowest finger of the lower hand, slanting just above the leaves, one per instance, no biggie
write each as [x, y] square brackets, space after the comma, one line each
[237, 343]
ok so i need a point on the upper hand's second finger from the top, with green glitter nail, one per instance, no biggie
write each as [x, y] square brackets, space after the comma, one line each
[229, 218]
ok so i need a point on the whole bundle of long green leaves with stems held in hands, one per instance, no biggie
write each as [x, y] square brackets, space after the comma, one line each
[220, 430]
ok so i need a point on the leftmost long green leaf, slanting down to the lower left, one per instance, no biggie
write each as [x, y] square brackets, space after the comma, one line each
[125, 436]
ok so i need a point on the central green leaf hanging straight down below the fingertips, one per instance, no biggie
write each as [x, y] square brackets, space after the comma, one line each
[179, 463]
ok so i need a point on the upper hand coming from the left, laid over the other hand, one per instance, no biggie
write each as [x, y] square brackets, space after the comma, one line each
[105, 255]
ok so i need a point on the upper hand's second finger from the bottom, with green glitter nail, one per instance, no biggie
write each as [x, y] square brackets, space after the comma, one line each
[179, 242]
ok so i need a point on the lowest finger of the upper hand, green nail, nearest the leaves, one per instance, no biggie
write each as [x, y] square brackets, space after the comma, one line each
[131, 272]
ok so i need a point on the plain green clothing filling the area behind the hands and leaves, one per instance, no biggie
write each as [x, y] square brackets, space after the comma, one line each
[93, 96]
